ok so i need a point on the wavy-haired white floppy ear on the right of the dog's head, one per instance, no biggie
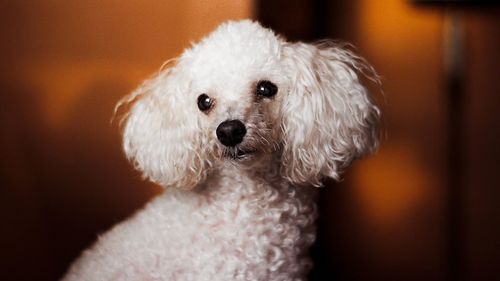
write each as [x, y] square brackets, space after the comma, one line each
[328, 118]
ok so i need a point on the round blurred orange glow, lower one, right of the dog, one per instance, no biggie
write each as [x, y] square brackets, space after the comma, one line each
[391, 186]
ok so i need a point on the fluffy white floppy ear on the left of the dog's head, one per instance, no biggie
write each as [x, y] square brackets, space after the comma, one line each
[161, 135]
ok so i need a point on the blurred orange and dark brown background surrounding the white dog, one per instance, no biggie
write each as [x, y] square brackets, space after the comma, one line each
[424, 208]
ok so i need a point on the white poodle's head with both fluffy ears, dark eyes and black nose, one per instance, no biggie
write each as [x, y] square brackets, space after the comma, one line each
[243, 92]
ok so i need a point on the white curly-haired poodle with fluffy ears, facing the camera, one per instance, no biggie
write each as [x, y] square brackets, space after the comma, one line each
[239, 130]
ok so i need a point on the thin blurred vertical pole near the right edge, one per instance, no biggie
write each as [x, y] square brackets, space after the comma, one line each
[453, 54]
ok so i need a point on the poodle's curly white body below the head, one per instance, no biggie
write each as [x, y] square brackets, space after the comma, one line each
[237, 226]
